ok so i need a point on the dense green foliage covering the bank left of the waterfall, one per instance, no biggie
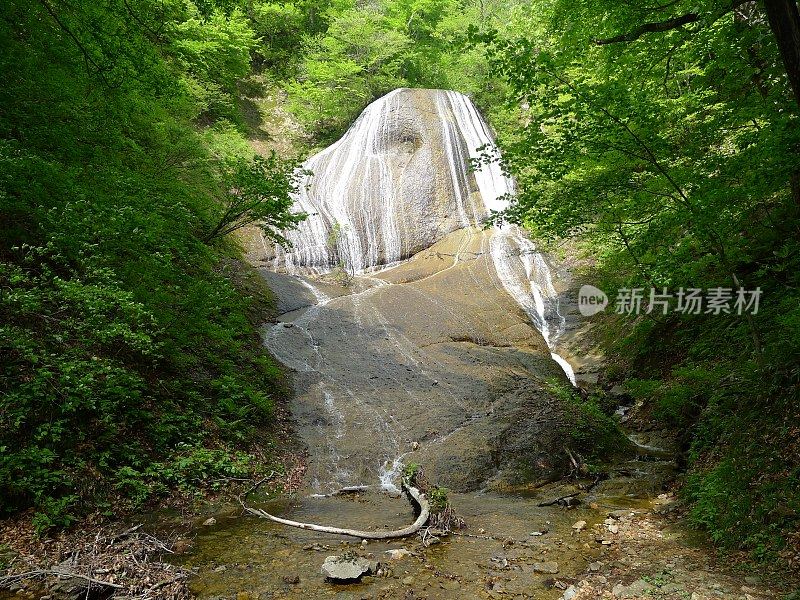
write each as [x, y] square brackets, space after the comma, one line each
[130, 363]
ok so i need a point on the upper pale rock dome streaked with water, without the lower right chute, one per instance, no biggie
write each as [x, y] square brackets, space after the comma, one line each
[392, 186]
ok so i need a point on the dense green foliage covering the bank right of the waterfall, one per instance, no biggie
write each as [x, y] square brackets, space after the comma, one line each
[674, 157]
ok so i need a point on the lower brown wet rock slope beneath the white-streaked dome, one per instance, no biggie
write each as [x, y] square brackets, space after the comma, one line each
[429, 362]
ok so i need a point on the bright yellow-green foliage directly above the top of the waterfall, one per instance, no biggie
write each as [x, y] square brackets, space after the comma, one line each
[366, 50]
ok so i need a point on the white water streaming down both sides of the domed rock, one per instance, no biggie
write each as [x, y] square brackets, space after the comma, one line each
[352, 203]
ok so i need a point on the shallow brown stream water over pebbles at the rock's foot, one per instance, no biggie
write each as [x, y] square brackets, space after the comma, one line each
[243, 554]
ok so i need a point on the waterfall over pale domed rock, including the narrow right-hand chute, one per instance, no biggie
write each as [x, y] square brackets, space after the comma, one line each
[369, 206]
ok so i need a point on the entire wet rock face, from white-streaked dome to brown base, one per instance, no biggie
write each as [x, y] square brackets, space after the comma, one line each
[443, 359]
